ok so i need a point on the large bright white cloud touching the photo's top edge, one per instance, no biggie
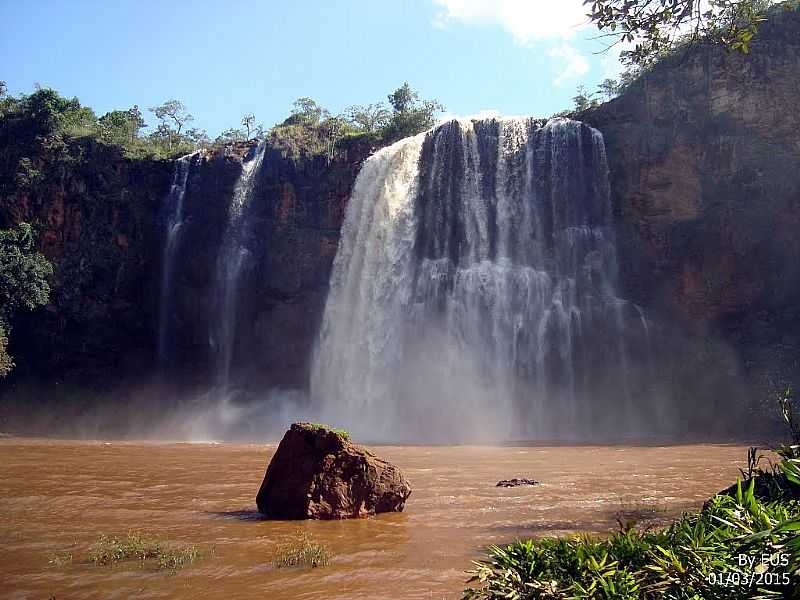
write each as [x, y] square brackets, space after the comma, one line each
[528, 21]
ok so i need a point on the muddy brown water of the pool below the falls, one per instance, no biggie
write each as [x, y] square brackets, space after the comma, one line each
[59, 496]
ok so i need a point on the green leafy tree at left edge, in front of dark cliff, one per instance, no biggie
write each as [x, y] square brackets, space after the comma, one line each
[23, 282]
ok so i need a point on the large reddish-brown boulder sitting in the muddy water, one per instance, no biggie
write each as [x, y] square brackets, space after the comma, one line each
[317, 473]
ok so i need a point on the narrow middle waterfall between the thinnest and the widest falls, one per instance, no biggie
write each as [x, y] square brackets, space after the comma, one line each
[231, 260]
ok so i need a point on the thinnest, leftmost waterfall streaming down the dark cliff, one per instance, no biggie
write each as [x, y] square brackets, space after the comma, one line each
[172, 215]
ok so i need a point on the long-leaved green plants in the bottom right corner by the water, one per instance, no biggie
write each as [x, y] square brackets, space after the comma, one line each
[686, 561]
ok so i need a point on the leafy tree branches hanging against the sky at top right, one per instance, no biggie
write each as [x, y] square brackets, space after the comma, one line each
[656, 27]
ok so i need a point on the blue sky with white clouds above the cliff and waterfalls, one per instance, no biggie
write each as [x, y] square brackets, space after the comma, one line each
[224, 59]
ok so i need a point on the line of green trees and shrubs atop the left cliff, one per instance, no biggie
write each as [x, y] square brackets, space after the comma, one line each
[309, 130]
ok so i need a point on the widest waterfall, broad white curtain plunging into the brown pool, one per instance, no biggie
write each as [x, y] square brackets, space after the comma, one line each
[474, 290]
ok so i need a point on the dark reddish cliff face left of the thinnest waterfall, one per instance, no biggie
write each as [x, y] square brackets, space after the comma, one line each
[95, 212]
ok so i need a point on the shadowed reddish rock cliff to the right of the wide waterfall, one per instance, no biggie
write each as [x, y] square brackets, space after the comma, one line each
[704, 154]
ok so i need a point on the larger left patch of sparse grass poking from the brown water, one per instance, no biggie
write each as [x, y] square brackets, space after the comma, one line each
[110, 550]
